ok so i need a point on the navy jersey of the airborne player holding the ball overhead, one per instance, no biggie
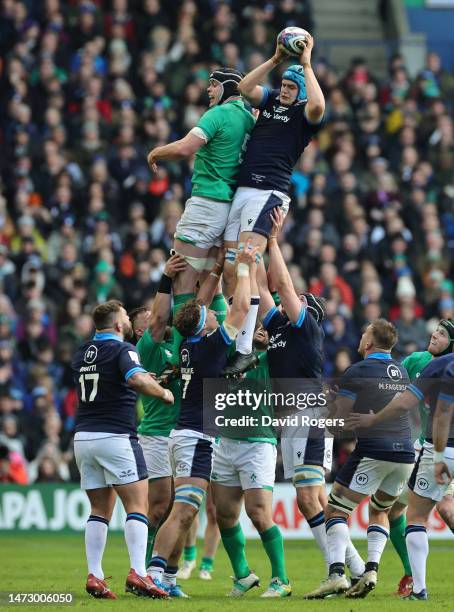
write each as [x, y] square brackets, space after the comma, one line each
[280, 135]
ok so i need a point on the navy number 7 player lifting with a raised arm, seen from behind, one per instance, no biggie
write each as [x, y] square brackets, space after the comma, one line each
[203, 354]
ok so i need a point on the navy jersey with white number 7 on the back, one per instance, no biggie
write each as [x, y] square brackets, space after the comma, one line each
[200, 357]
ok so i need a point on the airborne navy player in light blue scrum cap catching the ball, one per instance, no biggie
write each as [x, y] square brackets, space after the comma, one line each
[289, 118]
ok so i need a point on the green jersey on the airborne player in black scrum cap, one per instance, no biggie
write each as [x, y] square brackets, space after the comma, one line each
[216, 164]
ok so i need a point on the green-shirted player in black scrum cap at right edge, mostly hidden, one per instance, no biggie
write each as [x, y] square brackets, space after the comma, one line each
[440, 343]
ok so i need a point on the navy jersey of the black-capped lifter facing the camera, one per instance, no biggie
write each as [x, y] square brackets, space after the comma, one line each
[295, 350]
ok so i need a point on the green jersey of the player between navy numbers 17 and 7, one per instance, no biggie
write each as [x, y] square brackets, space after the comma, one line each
[159, 418]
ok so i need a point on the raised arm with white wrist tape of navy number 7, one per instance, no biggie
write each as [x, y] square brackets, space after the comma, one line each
[246, 267]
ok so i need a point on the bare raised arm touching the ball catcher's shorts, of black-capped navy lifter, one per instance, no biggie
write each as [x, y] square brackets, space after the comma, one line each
[279, 273]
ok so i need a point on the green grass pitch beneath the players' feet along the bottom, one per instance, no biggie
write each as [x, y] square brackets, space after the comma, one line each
[56, 563]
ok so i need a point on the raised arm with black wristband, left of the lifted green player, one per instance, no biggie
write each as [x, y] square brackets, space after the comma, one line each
[160, 311]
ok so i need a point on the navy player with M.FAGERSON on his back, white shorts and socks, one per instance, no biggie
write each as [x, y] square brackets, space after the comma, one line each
[380, 464]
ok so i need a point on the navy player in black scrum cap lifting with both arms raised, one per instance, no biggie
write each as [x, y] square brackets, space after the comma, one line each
[295, 352]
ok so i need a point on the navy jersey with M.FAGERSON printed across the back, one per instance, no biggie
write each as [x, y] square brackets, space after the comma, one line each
[372, 384]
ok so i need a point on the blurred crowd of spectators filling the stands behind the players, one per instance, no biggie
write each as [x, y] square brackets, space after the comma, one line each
[87, 88]
